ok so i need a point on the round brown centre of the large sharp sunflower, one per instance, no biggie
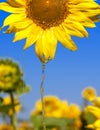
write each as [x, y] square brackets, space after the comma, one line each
[47, 13]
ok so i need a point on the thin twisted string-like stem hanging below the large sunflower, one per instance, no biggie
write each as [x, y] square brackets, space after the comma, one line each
[42, 96]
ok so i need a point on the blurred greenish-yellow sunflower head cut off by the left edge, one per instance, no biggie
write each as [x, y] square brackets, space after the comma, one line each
[10, 75]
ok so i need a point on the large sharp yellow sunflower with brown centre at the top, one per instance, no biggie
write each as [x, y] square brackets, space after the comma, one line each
[45, 22]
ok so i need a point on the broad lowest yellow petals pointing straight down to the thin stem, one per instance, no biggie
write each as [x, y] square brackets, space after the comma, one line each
[45, 46]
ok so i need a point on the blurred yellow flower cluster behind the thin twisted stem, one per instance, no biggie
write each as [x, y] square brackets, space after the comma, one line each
[54, 107]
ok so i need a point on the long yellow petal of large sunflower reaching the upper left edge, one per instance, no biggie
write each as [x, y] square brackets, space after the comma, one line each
[6, 7]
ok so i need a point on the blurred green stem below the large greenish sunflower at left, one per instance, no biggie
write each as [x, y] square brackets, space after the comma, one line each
[13, 116]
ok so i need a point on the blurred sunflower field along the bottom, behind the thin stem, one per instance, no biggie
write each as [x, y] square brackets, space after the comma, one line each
[59, 114]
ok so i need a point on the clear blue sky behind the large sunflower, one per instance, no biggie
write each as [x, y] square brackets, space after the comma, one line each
[66, 76]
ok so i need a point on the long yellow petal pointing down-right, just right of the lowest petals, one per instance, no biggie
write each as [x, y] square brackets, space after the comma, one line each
[64, 39]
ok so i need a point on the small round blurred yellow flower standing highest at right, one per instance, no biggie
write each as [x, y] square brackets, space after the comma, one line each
[89, 93]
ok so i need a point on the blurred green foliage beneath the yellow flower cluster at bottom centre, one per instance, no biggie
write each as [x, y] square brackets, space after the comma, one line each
[51, 122]
